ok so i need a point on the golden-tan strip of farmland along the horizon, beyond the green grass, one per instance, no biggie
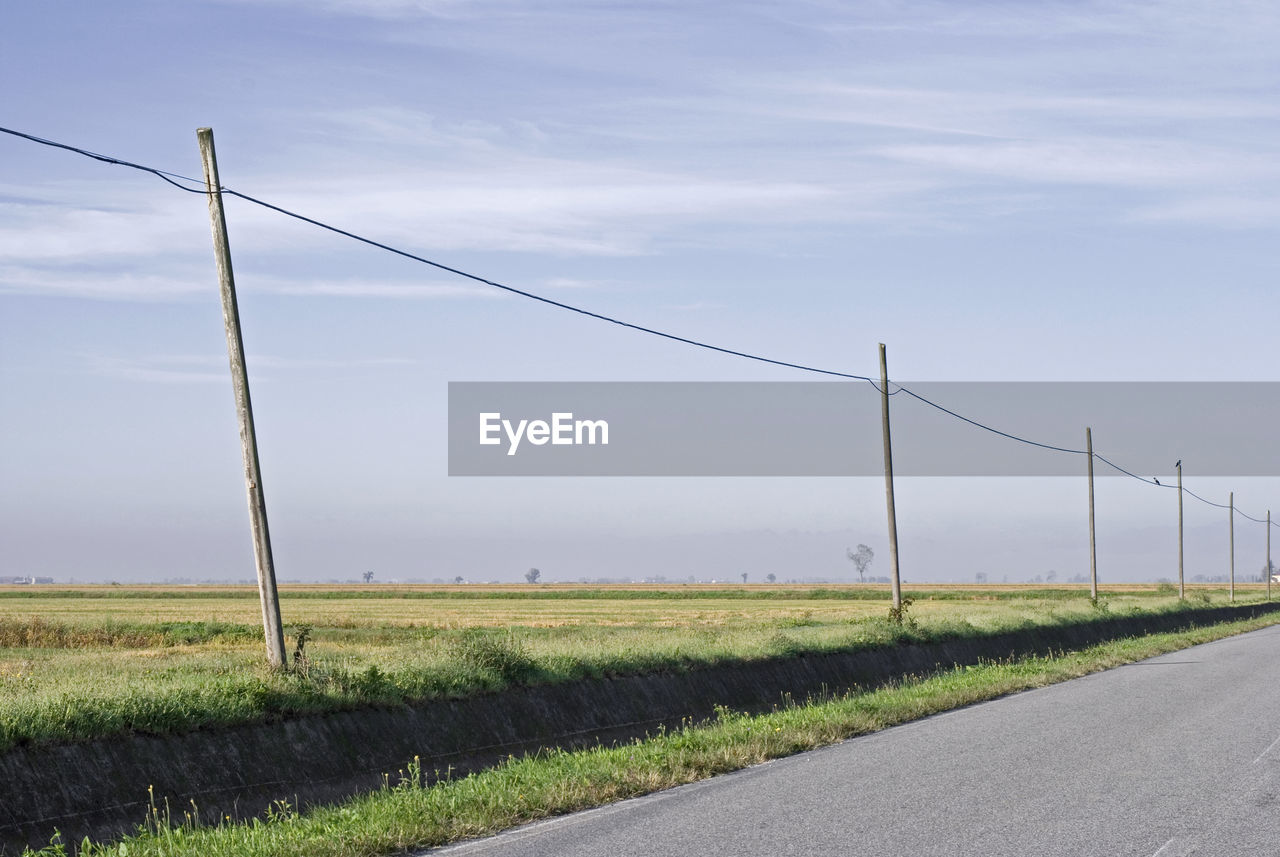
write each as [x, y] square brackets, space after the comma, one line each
[546, 607]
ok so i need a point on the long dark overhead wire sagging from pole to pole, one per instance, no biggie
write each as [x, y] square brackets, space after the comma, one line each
[175, 180]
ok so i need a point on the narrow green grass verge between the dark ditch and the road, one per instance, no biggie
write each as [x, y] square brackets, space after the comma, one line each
[414, 815]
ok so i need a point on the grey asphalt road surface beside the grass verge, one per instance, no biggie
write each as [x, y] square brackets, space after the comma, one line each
[1173, 757]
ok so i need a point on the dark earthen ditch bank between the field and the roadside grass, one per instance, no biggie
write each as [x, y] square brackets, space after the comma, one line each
[100, 789]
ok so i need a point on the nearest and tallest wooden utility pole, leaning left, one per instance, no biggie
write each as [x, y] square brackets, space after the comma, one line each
[272, 629]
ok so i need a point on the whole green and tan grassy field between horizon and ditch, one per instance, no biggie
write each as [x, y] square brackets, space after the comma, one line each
[88, 662]
